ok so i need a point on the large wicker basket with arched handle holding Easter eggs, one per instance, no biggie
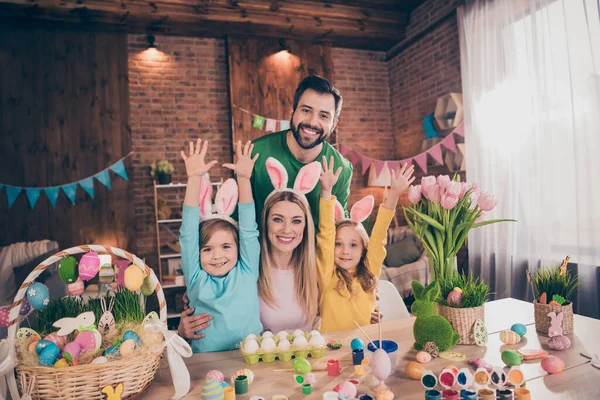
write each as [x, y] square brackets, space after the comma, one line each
[85, 382]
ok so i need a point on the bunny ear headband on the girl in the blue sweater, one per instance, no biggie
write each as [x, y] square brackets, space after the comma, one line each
[225, 200]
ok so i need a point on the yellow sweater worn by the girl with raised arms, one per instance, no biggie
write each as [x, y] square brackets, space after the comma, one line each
[339, 309]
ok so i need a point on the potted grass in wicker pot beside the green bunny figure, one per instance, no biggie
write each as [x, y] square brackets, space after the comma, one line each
[461, 302]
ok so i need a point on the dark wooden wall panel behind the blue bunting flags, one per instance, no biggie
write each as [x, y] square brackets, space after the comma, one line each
[63, 117]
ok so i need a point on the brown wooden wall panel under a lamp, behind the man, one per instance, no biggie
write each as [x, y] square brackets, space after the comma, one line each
[263, 79]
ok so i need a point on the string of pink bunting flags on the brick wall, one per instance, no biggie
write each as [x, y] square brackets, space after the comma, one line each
[420, 159]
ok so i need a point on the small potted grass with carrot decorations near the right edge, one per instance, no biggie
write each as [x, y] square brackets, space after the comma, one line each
[552, 290]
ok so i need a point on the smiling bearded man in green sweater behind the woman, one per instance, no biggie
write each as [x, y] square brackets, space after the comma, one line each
[317, 106]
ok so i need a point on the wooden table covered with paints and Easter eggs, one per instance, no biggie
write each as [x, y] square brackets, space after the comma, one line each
[578, 381]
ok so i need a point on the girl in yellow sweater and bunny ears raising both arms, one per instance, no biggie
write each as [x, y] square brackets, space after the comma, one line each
[348, 262]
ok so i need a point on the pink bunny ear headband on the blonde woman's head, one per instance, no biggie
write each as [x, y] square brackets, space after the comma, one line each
[305, 182]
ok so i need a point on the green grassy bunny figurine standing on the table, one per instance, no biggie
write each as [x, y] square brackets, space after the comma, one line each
[428, 326]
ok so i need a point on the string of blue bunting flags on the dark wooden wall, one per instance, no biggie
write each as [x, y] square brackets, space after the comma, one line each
[69, 189]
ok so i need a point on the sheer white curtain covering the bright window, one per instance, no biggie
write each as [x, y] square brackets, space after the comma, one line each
[531, 85]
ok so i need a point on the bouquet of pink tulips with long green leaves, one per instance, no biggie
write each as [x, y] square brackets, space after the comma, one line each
[442, 214]
